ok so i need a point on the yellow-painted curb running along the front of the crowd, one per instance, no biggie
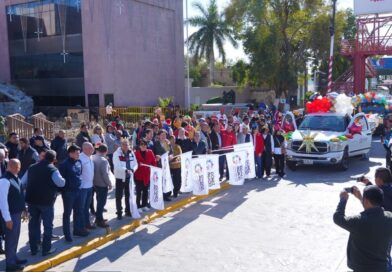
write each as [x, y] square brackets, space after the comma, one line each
[79, 250]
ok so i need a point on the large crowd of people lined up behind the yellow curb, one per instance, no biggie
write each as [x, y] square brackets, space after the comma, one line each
[35, 171]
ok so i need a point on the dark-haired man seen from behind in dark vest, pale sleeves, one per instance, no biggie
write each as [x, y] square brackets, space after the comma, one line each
[43, 181]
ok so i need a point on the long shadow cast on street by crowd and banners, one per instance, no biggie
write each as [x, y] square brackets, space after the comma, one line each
[217, 206]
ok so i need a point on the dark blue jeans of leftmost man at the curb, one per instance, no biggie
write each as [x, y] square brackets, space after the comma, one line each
[12, 239]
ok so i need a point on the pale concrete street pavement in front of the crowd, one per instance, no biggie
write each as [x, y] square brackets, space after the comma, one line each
[275, 225]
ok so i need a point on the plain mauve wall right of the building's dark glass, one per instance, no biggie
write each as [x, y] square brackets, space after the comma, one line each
[137, 55]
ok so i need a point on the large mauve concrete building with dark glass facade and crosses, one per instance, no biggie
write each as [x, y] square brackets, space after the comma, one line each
[92, 52]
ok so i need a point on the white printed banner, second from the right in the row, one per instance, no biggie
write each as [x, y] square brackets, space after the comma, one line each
[236, 165]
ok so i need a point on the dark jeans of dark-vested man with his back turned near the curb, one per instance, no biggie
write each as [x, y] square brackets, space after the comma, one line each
[46, 213]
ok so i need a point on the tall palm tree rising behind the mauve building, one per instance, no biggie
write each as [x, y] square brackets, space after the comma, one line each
[213, 31]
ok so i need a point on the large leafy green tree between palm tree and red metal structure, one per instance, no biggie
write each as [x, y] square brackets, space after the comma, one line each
[280, 35]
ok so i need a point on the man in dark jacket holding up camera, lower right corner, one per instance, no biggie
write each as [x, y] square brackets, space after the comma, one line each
[370, 232]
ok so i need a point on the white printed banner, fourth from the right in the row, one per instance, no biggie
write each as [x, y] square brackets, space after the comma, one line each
[199, 176]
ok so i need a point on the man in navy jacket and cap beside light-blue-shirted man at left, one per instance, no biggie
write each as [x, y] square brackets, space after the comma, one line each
[71, 170]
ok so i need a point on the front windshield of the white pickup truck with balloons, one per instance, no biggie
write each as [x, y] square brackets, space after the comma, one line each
[324, 123]
